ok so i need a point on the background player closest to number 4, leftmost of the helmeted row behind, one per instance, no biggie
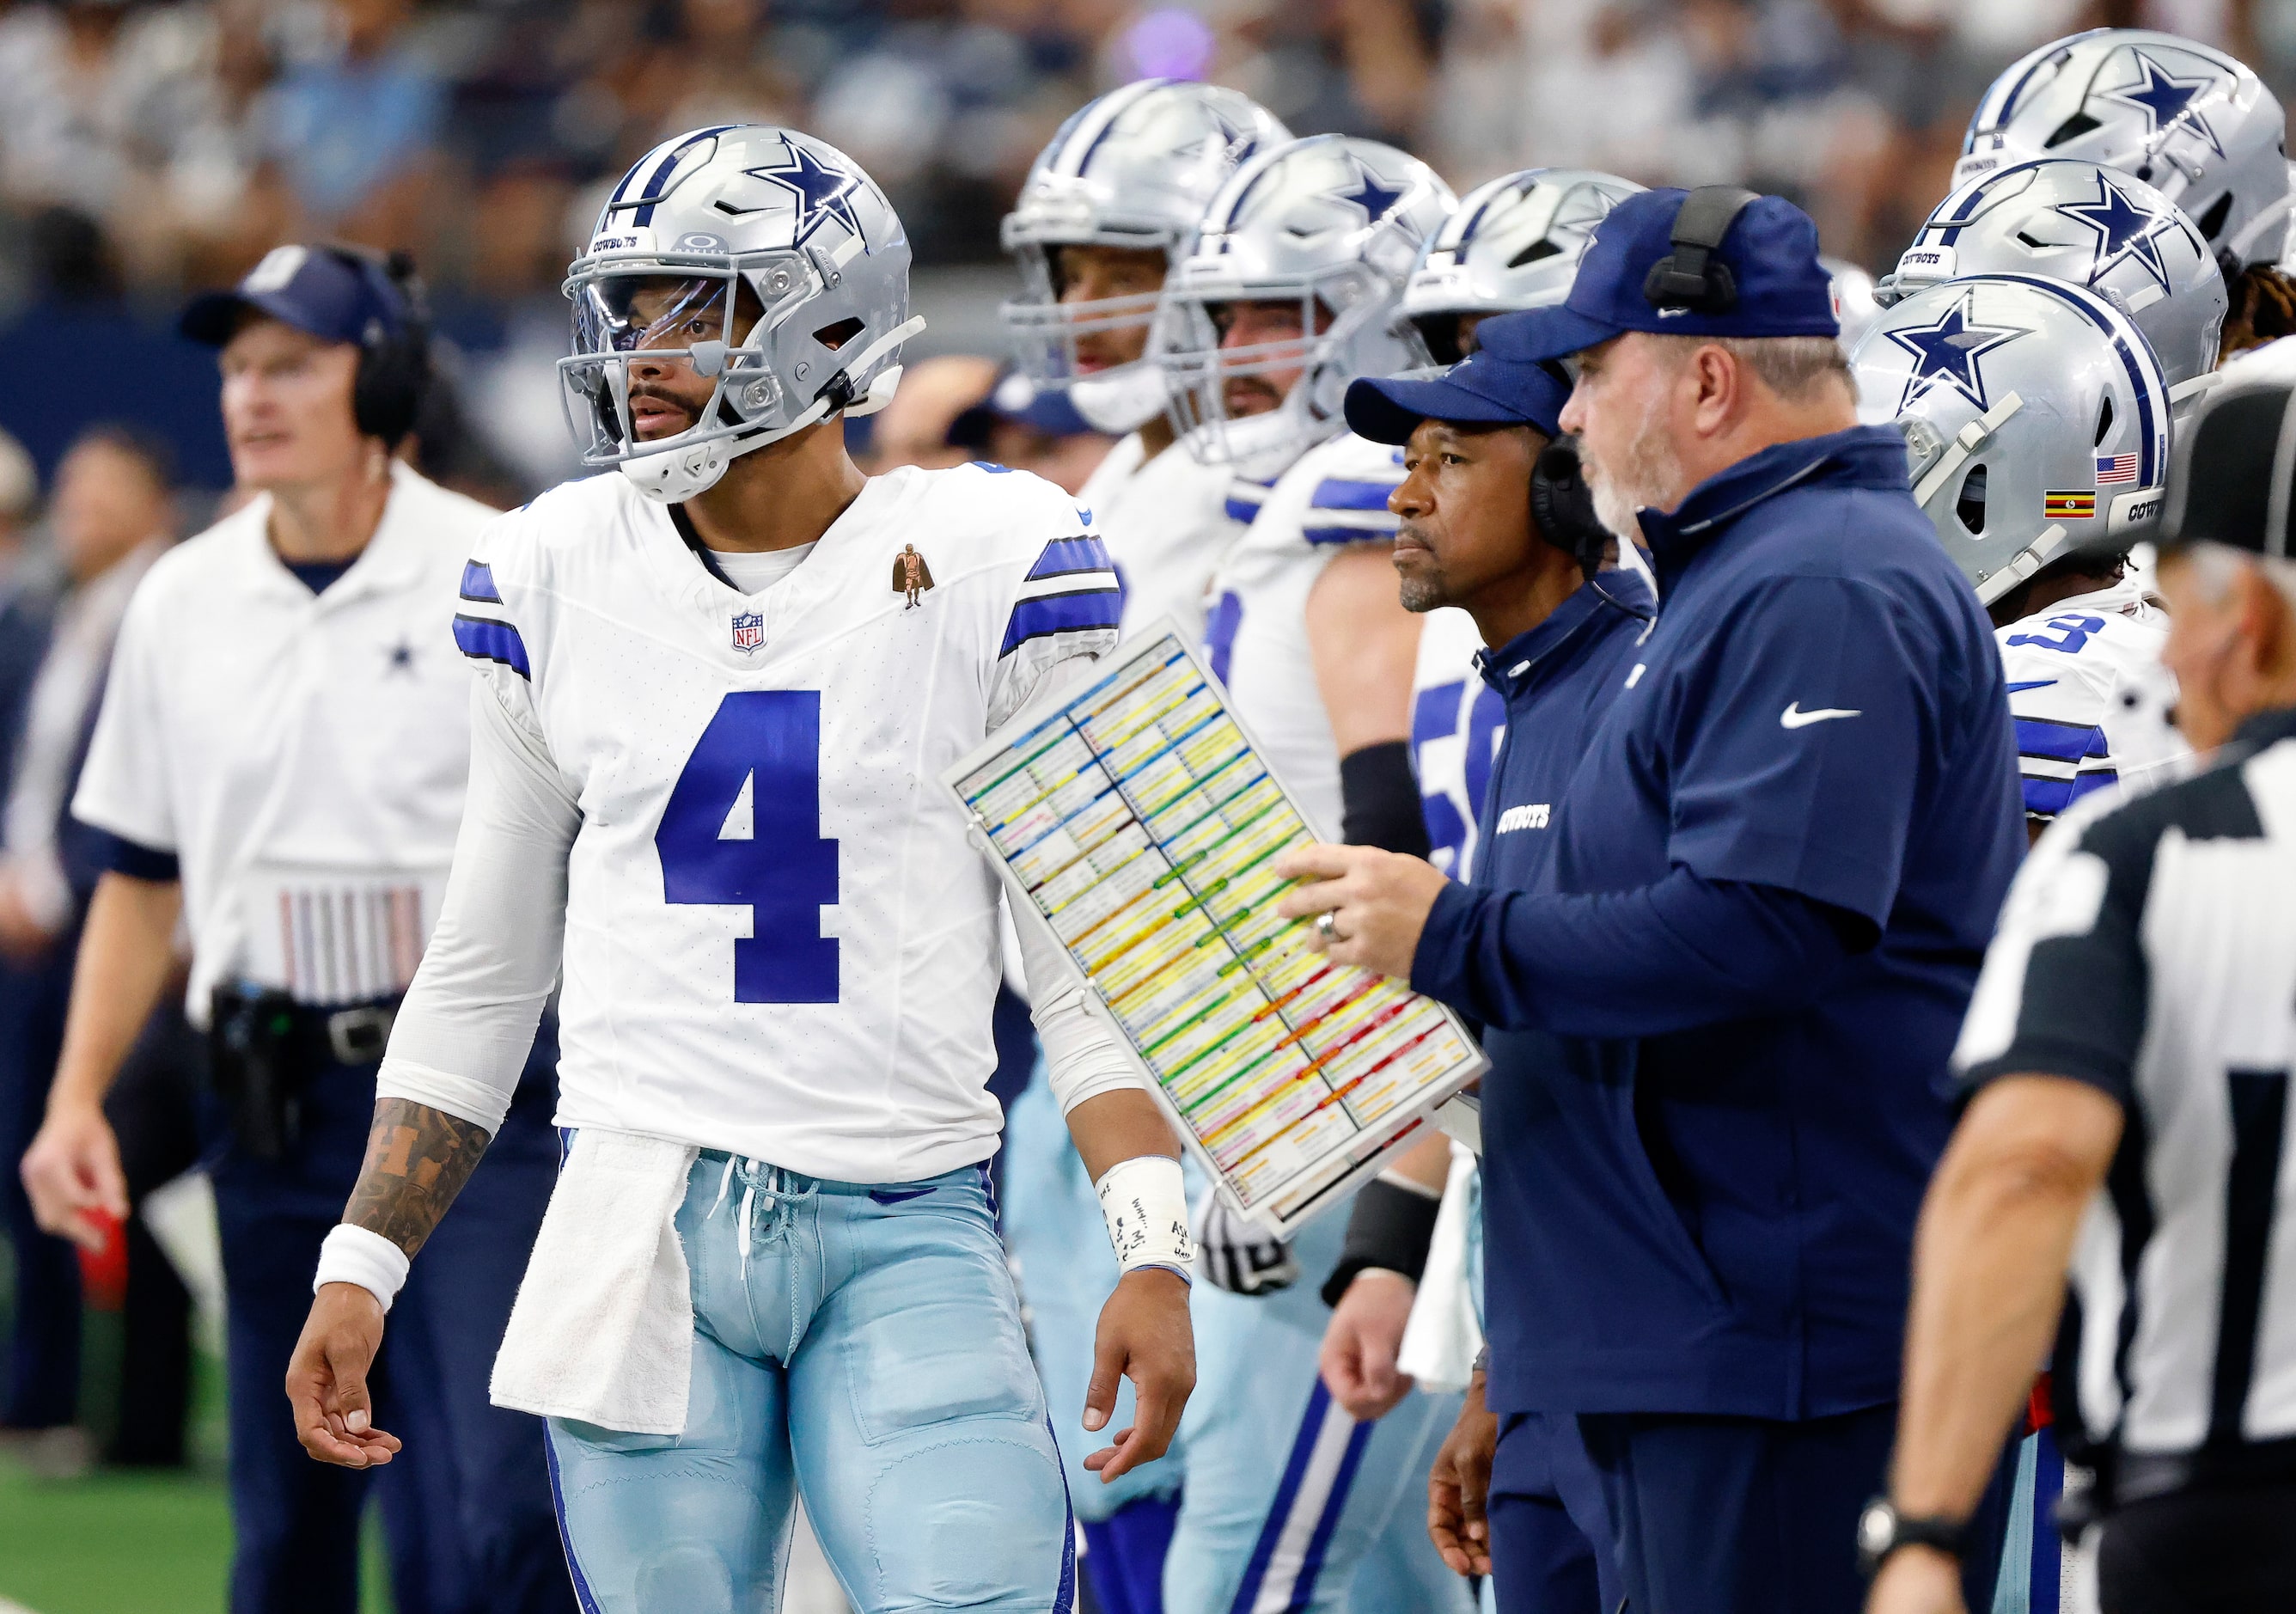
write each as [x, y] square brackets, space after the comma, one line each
[1101, 219]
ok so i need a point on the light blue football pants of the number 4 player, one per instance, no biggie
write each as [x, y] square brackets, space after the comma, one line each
[858, 1347]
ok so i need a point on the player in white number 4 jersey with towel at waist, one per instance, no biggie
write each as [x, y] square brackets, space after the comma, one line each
[715, 699]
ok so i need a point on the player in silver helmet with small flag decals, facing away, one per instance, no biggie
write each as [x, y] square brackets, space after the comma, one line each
[2035, 419]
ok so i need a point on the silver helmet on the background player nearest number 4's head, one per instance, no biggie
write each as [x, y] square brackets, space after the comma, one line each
[1133, 169]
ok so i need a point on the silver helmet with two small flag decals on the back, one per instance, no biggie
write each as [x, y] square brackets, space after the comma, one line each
[2035, 421]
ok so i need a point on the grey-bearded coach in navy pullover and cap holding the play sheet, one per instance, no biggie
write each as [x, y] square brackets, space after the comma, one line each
[1767, 899]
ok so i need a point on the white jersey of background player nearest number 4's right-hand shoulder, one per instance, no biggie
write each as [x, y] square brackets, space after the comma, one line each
[1168, 525]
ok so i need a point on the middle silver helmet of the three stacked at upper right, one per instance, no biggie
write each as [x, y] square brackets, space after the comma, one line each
[2091, 226]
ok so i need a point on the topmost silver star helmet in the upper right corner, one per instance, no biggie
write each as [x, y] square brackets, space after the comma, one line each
[2180, 116]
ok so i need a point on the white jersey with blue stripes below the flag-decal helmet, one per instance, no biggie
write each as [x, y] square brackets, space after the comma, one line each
[2091, 697]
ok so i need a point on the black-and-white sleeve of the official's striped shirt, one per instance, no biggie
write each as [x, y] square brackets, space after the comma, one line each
[2068, 981]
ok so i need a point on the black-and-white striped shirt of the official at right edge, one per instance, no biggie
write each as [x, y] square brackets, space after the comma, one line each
[2150, 949]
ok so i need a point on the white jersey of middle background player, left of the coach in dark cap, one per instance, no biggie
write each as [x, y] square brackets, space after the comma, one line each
[1257, 633]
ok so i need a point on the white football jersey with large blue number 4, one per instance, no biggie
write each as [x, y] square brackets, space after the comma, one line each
[777, 933]
